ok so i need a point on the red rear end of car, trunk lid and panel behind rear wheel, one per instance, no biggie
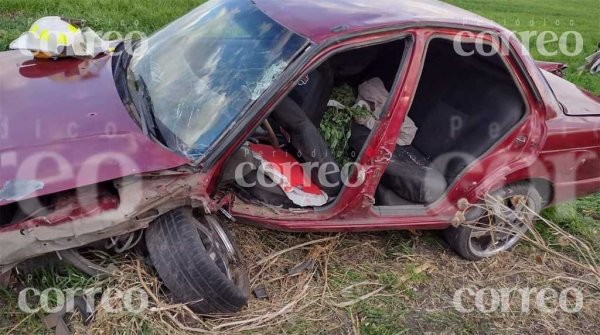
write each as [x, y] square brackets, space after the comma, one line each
[570, 157]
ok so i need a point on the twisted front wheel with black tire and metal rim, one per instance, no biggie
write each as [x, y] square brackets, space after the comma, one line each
[198, 262]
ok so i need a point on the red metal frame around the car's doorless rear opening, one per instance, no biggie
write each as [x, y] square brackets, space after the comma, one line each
[517, 149]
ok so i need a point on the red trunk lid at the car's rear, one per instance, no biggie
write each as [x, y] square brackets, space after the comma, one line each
[576, 101]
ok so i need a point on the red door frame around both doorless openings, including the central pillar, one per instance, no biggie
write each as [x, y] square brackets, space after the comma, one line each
[354, 210]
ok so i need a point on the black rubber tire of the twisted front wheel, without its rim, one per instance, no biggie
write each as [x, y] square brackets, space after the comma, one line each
[182, 262]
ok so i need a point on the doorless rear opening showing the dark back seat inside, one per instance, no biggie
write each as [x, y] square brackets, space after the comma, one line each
[464, 105]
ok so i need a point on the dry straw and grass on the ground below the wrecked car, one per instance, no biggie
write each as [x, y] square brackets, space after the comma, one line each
[383, 283]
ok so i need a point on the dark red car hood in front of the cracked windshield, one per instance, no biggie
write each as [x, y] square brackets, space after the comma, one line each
[63, 125]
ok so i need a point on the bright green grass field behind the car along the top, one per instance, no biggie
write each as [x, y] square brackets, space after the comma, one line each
[147, 16]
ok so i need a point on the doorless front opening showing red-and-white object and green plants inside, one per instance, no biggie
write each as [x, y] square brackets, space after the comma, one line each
[299, 155]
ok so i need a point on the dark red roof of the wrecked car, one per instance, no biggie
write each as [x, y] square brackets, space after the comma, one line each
[319, 20]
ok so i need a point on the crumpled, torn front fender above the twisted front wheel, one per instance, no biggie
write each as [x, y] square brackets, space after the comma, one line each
[82, 216]
